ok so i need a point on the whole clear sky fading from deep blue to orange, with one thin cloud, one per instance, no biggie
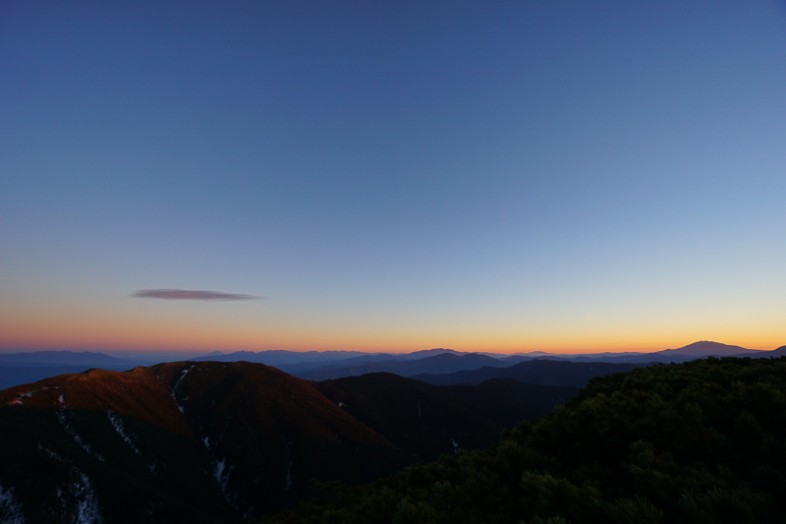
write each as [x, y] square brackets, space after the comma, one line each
[392, 176]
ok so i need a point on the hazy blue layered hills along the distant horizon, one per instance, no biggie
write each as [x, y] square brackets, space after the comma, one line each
[22, 368]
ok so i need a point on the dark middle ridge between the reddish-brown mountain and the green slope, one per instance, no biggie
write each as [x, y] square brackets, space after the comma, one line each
[431, 420]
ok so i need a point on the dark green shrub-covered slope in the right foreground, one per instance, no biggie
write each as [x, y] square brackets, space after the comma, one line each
[698, 442]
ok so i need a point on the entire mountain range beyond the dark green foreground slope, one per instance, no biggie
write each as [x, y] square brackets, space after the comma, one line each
[206, 441]
